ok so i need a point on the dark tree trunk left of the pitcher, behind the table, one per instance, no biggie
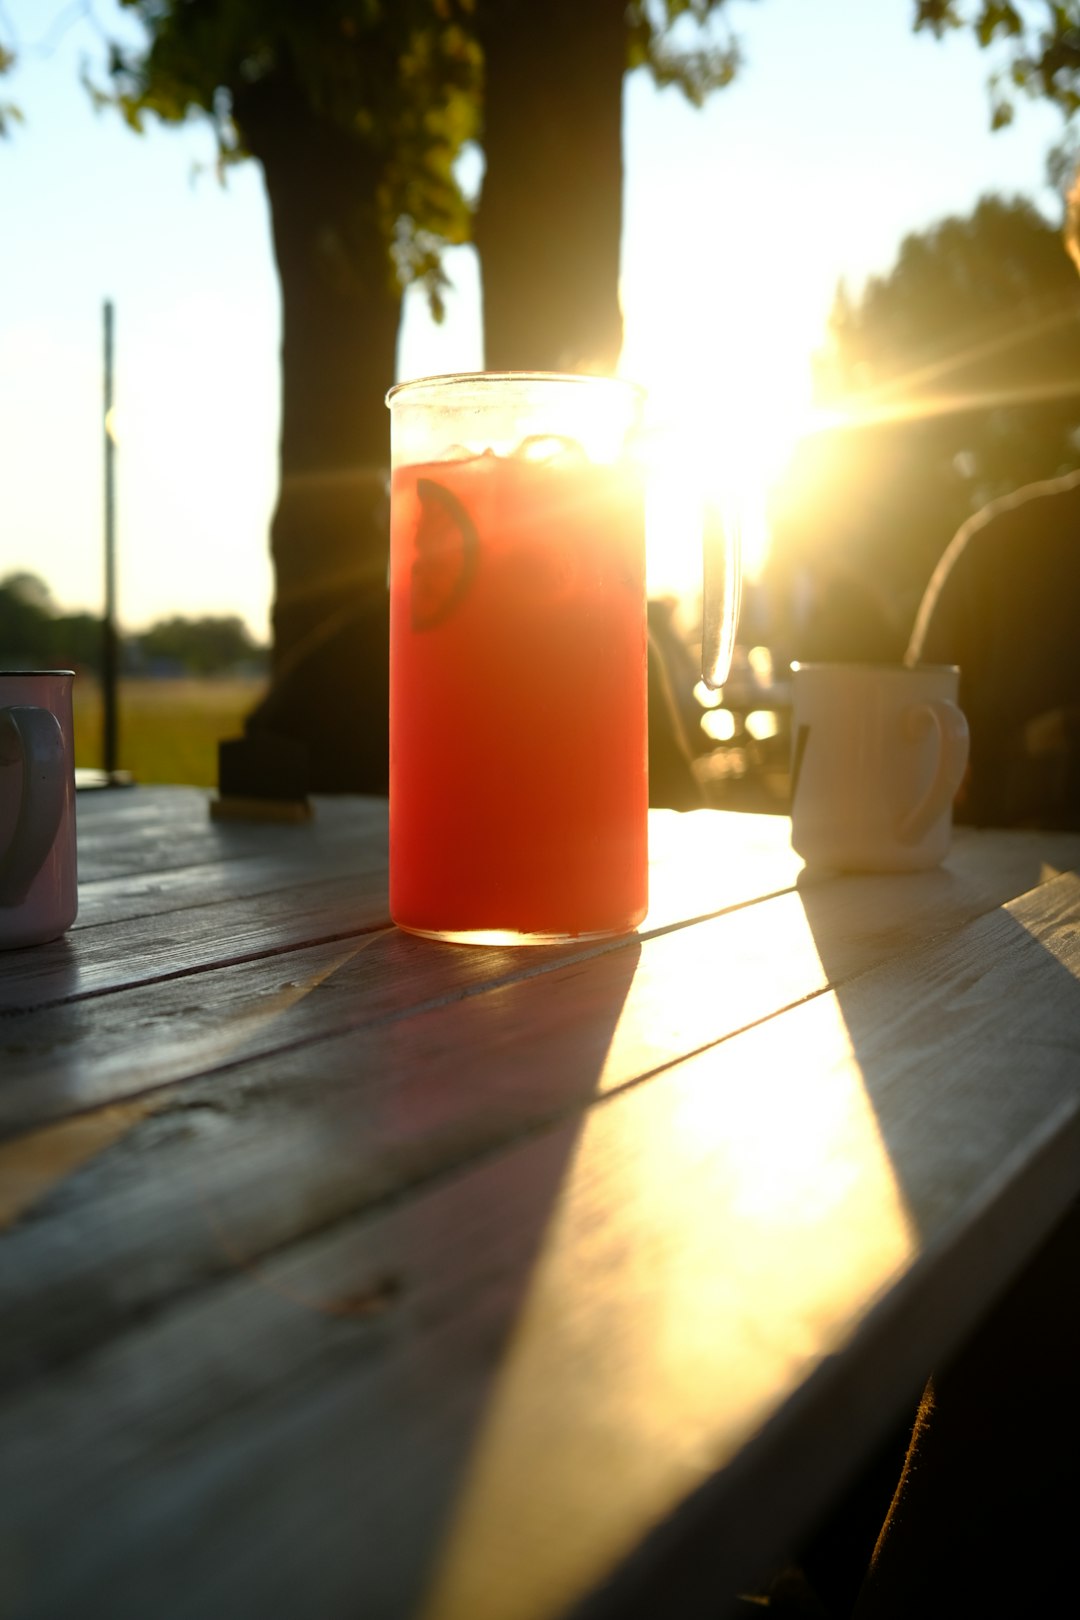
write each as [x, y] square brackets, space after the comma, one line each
[330, 539]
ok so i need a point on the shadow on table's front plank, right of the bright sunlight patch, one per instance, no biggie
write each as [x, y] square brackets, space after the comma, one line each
[974, 1026]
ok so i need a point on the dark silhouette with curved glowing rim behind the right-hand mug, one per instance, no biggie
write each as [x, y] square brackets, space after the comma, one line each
[1005, 605]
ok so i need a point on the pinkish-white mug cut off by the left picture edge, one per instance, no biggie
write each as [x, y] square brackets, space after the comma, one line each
[38, 864]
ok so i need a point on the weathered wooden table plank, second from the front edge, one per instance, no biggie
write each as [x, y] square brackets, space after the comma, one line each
[276, 1148]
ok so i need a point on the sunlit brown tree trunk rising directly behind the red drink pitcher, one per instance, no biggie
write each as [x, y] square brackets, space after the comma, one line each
[550, 221]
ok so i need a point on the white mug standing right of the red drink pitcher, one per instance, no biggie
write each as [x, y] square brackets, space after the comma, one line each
[878, 752]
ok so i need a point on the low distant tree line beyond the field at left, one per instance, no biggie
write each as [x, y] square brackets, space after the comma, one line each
[36, 636]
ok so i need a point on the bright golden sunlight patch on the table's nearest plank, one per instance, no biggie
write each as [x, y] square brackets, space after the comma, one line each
[718, 1235]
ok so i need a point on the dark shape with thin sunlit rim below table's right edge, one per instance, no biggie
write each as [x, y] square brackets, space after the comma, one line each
[985, 1509]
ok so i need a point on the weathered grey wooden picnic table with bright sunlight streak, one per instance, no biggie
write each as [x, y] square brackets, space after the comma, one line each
[349, 1274]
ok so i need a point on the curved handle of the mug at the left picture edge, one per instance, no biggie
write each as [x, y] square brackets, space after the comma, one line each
[33, 738]
